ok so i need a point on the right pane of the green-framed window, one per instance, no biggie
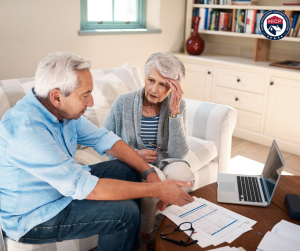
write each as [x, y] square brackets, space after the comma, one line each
[126, 10]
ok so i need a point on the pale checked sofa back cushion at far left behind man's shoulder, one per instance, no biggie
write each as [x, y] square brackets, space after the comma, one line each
[11, 94]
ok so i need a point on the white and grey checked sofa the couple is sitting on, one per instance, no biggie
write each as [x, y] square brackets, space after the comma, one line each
[210, 128]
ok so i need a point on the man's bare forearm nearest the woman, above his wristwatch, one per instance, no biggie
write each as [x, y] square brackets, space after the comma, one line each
[128, 155]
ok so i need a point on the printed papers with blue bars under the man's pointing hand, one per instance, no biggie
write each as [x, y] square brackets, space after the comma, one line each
[213, 224]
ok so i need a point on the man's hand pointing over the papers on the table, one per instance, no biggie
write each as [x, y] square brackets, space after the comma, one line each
[170, 192]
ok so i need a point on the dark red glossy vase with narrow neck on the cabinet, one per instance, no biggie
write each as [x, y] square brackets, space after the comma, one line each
[195, 44]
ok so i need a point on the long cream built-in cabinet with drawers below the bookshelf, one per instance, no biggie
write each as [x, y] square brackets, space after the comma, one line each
[264, 112]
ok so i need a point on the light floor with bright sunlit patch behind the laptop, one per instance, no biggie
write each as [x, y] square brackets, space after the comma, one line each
[249, 158]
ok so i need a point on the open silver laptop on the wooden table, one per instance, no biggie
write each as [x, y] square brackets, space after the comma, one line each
[252, 189]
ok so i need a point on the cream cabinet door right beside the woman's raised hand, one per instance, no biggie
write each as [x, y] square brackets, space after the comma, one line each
[198, 82]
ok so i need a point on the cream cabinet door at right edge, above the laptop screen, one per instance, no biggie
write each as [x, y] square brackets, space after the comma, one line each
[283, 110]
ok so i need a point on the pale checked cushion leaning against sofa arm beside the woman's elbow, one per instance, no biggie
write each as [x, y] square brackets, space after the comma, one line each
[201, 153]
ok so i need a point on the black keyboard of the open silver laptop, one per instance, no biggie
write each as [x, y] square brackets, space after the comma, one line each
[248, 189]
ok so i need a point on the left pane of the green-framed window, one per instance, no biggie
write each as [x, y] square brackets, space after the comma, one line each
[100, 10]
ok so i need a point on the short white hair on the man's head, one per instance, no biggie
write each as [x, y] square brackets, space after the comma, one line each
[58, 70]
